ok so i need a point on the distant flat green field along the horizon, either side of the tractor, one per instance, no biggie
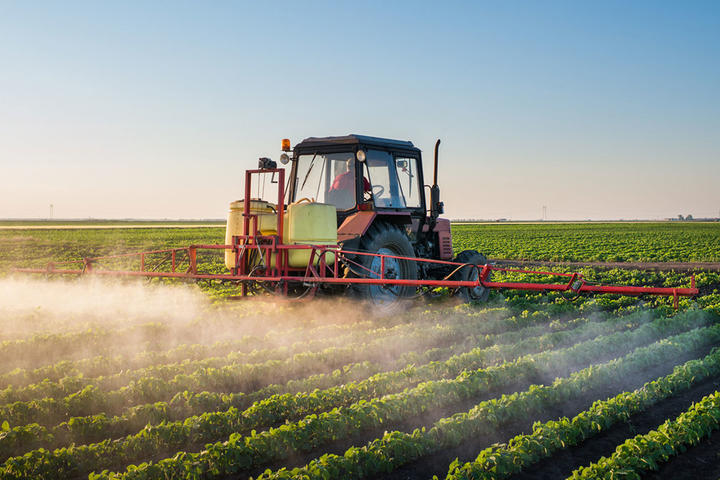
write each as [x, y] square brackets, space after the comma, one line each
[609, 242]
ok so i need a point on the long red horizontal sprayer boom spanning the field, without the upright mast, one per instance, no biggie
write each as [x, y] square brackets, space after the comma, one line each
[182, 263]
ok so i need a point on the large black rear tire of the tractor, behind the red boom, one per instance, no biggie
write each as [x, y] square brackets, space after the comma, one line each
[389, 239]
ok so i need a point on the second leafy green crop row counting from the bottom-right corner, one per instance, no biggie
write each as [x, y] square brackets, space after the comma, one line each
[498, 462]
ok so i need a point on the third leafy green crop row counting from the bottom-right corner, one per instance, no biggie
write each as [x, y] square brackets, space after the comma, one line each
[395, 448]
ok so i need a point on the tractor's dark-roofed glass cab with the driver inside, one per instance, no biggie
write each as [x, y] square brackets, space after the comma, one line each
[359, 173]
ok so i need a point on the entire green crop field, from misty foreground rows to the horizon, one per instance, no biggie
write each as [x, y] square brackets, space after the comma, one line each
[158, 380]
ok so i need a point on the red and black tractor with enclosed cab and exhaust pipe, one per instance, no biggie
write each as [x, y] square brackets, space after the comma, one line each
[374, 189]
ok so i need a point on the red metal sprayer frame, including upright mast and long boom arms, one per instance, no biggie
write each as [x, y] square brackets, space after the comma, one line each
[281, 274]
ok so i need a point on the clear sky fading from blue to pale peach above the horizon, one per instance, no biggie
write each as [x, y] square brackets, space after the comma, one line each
[154, 109]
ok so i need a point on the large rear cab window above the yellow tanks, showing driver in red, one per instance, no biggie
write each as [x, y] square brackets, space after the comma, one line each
[326, 178]
